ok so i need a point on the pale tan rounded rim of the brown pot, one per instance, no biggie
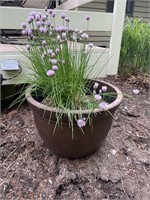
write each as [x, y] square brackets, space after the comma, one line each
[115, 103]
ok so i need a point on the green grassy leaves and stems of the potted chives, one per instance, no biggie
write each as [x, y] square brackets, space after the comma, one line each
[66, 88]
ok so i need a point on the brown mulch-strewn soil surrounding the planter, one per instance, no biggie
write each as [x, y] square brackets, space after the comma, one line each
[119, 170]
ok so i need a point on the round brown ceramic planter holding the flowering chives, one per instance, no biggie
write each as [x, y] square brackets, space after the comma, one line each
[61, 142]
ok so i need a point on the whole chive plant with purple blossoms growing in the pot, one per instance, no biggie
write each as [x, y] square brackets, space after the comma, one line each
[59, 65]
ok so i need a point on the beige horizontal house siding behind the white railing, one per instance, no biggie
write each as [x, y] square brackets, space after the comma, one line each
[141, 9]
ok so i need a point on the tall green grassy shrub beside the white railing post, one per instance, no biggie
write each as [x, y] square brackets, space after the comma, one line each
[135, 48]
